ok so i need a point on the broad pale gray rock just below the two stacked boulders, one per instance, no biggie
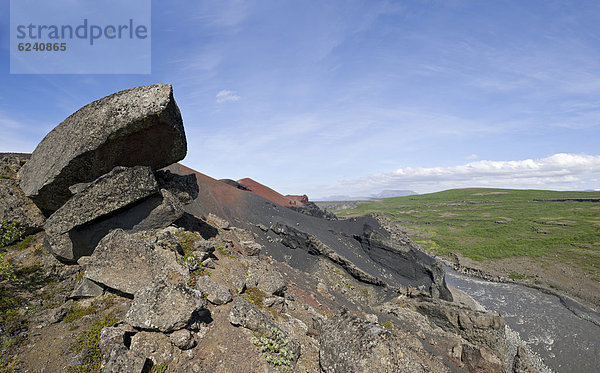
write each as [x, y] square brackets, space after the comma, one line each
[130, 262]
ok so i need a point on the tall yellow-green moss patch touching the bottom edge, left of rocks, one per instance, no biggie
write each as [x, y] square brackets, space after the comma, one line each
[87, 346]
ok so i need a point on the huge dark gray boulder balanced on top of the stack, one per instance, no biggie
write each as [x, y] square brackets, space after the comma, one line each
[138, 126]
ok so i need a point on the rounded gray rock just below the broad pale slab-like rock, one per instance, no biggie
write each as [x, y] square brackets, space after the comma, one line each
[164, 307]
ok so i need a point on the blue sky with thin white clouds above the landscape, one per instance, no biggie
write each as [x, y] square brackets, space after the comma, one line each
[354, 97]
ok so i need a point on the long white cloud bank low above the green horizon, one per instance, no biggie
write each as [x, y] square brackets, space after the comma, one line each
[558, 171]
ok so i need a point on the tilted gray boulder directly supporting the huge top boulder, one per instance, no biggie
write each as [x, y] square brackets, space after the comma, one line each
[126, 197]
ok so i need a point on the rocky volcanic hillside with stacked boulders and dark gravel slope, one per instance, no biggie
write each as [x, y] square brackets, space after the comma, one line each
[205, 276]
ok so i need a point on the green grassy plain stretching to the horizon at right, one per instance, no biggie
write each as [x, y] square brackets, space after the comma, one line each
[498, 223]
